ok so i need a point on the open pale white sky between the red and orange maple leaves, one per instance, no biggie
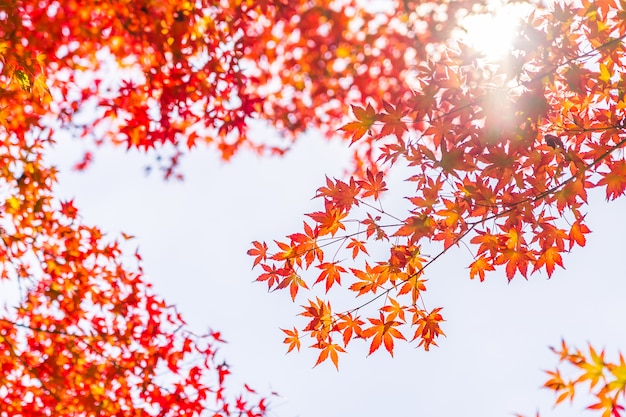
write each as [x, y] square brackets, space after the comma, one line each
[193, 236]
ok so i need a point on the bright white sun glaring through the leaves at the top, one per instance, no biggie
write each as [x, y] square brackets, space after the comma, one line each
[492, 31]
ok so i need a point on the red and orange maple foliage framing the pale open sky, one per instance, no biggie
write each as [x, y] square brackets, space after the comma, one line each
[502, 151]
